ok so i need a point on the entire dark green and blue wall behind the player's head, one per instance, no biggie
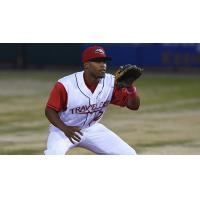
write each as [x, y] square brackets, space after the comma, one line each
[159, 56]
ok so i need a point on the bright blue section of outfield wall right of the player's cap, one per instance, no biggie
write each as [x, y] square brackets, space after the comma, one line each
[148, 55]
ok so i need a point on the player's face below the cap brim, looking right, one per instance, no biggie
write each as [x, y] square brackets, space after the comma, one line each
[97, 69]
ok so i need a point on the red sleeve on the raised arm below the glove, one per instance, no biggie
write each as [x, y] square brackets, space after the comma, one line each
[120, 95]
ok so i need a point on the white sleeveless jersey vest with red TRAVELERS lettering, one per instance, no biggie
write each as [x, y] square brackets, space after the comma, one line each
[85, 108]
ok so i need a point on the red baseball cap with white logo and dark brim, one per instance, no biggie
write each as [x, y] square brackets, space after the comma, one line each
[94, 52]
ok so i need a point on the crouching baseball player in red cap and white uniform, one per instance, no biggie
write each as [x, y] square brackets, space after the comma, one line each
[77, 103]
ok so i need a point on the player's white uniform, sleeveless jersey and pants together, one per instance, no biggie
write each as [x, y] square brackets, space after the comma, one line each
[85, 109]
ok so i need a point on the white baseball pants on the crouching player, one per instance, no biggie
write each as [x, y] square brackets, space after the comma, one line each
[96, 138]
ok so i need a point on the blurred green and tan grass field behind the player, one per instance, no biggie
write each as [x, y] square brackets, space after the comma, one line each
[168, 121]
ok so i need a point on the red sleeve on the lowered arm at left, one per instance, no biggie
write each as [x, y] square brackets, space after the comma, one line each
[58, 98]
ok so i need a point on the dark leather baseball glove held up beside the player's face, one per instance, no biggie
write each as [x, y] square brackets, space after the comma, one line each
[127, 74]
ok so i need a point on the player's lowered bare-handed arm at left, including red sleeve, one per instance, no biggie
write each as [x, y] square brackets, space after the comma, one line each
[57, 102]
